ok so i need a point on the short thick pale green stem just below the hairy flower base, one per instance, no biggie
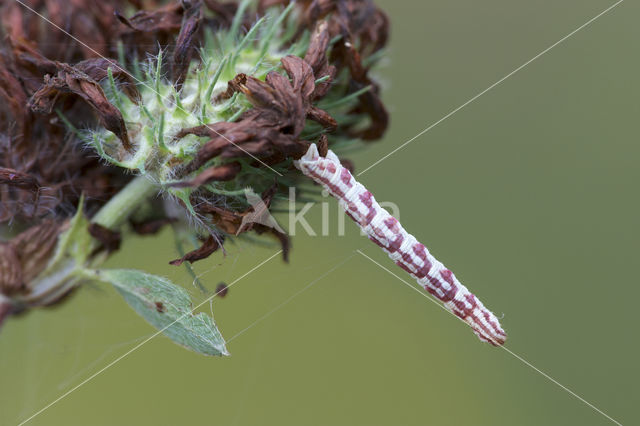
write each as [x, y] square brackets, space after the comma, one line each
[125, 202]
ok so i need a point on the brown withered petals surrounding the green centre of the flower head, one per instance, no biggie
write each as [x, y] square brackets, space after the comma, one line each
[45, 75]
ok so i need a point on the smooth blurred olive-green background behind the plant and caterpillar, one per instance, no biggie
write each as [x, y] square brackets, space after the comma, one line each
[529, 195]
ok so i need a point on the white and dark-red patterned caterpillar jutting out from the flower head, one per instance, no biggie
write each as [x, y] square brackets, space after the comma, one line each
[402, 247]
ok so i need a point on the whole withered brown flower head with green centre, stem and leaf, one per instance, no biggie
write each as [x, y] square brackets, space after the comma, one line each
[195, 100]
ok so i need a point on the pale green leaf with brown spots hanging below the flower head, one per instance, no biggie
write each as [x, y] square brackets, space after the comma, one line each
[168, 308]
